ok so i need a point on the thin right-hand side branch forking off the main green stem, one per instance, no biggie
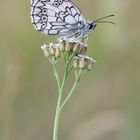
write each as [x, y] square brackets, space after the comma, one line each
[72, 90]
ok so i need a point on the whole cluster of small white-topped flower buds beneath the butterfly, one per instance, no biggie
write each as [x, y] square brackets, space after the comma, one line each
[72, 47]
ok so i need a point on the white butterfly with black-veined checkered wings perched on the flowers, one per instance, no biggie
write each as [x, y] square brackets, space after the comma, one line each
[60, 17]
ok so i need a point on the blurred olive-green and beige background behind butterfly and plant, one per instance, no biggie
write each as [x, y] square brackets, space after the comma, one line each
[106, 106]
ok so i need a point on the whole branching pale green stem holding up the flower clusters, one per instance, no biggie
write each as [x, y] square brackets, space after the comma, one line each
[59, 107]
